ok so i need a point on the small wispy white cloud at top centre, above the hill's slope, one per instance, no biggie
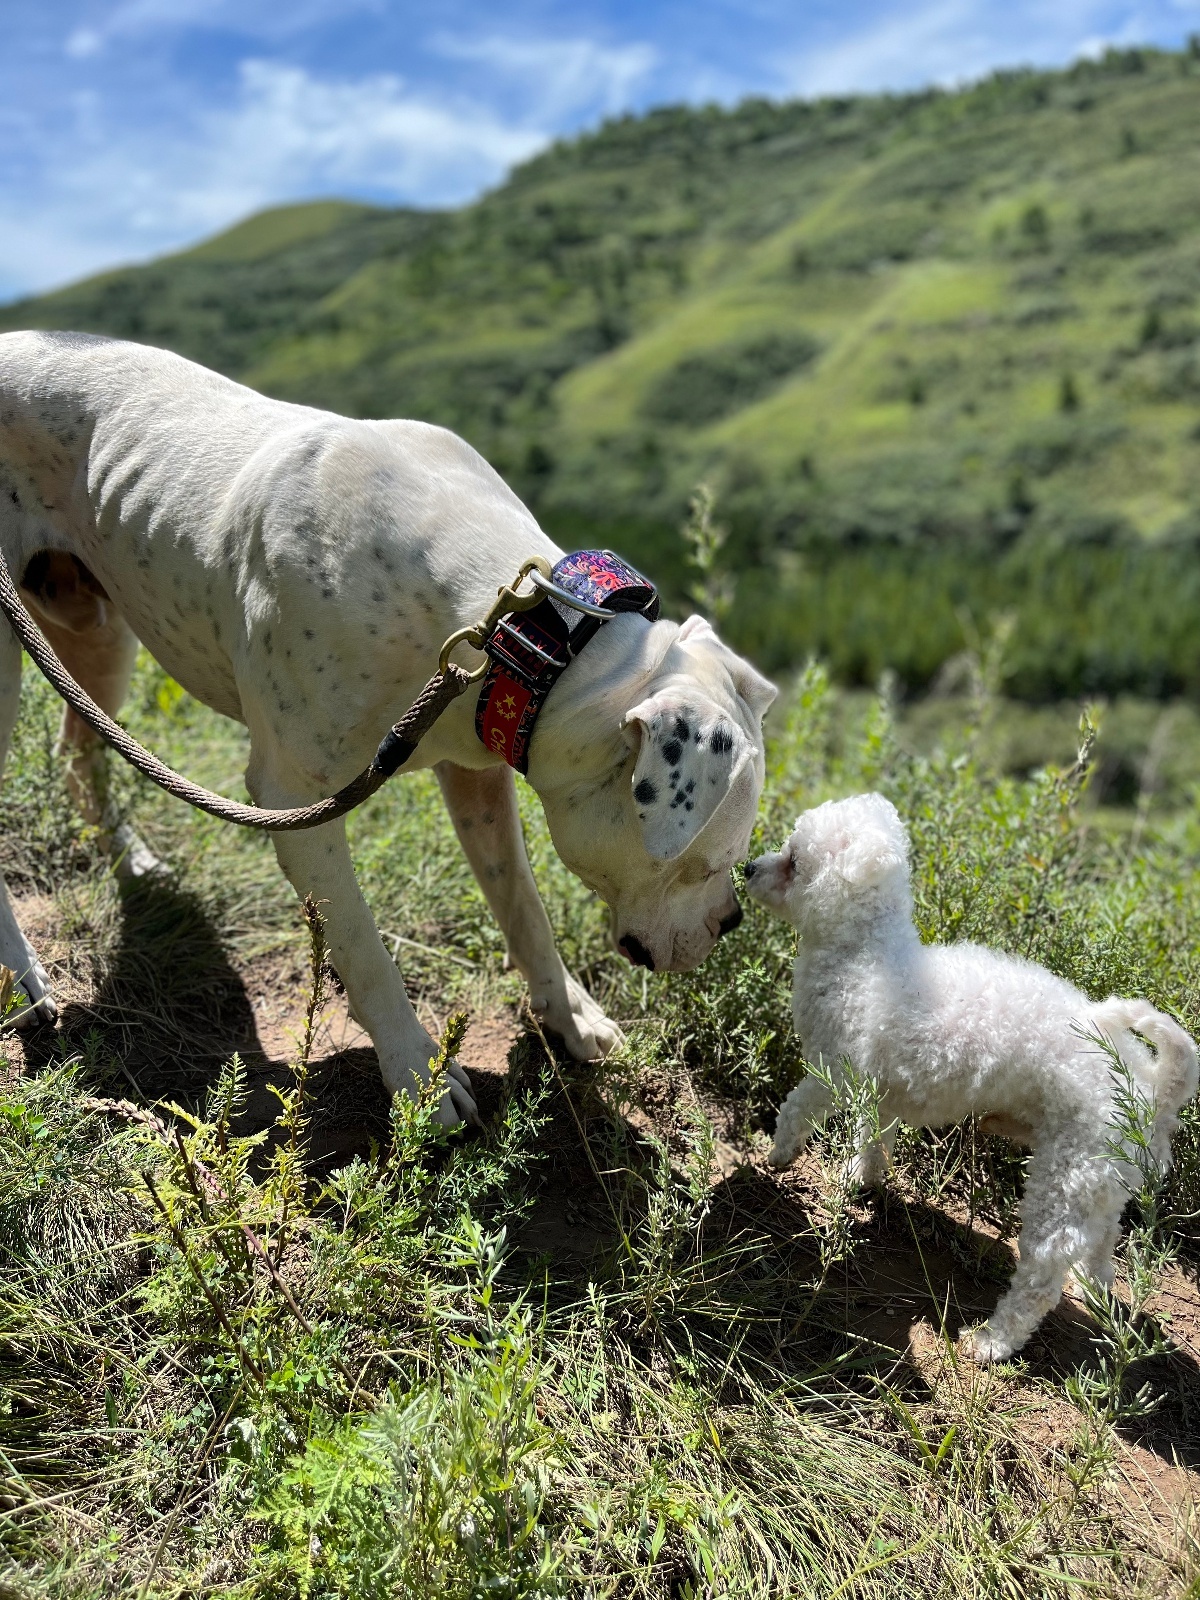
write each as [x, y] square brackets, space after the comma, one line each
[566, 76]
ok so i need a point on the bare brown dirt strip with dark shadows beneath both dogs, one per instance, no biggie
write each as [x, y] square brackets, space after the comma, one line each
[175, 1007]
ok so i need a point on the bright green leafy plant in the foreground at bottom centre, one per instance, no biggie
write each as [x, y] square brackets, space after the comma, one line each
[442, 1489]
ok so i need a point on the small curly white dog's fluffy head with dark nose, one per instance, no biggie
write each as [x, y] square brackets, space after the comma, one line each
[842, 854]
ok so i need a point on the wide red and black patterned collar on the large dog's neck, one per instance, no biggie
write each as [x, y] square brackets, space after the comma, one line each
[530, 650]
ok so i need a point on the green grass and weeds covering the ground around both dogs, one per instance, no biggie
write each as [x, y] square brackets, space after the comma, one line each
[567, 1356]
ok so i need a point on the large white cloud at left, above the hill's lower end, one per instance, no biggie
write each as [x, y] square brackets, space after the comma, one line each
[289, 135]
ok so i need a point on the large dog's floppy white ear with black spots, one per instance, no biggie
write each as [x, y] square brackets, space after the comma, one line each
[689, 758]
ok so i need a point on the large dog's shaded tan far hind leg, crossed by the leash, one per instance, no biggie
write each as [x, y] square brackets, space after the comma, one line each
[102, 662]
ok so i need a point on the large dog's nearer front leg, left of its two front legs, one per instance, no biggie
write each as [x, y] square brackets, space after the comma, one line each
[318, 863]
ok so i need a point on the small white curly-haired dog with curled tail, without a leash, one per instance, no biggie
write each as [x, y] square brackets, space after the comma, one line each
[956, 1031]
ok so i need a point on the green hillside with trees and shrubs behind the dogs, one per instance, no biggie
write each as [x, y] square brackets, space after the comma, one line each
[938, 356]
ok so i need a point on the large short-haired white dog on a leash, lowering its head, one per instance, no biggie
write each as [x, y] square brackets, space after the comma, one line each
[300, 572]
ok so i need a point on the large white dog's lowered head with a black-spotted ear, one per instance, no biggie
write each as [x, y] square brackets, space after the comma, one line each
[649, 759]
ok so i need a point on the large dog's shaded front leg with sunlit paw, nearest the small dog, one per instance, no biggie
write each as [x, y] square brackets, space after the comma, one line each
[484, 810]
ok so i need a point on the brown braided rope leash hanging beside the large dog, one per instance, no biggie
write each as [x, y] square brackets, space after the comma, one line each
[394, 750]
